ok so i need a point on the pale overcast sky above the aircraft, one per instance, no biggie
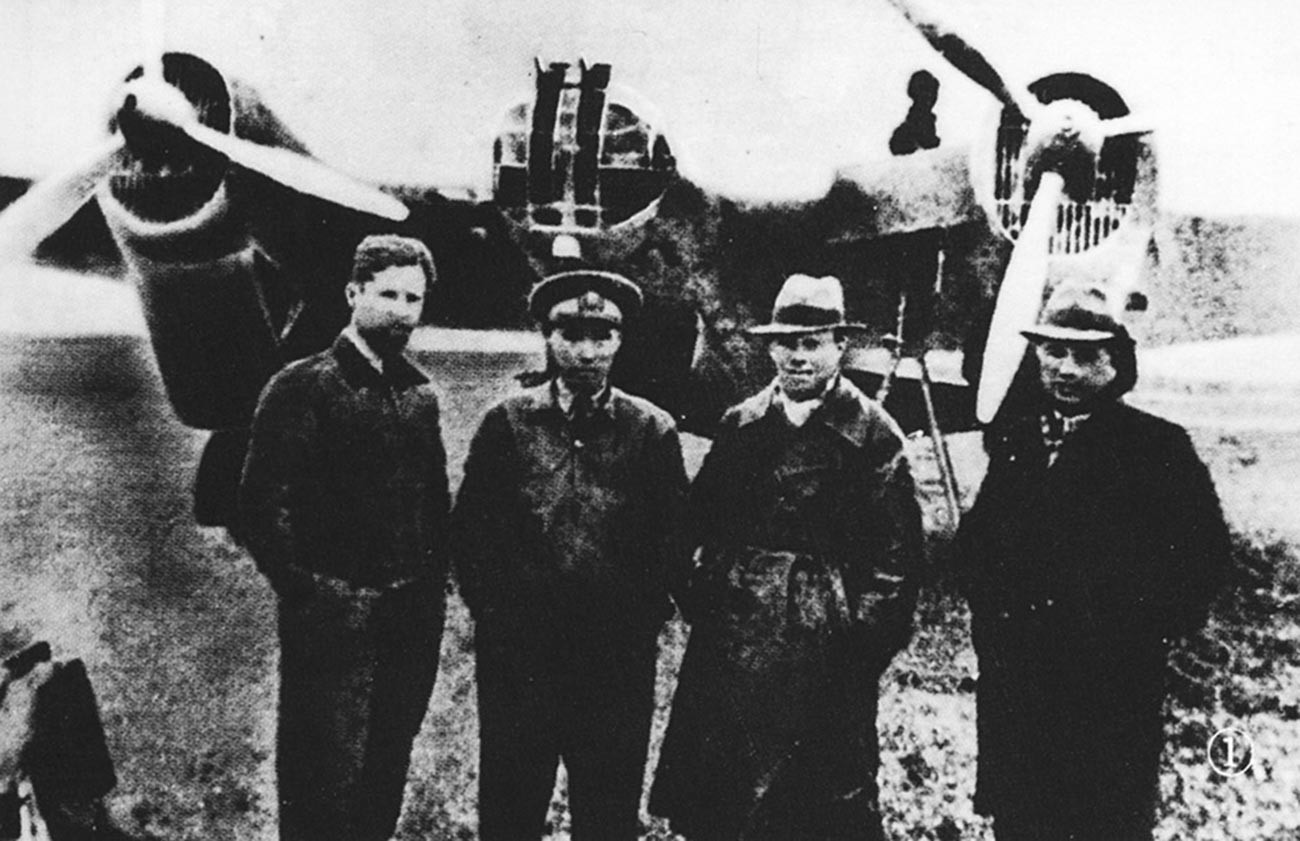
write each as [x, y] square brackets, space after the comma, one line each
[761, 98]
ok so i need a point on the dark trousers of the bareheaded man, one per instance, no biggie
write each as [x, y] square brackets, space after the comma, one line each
[356, 678]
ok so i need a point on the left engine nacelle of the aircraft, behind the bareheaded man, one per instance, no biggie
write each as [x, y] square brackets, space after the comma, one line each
[184, 226]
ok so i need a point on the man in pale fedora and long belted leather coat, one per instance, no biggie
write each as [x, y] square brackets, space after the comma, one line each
[811, 534]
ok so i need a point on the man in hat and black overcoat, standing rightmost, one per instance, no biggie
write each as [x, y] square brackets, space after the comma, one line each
[1095, 544]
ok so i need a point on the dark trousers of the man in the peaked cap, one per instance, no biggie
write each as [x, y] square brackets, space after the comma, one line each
[579, 691]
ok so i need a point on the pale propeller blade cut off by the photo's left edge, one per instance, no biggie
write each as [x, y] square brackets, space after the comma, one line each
[53, 201]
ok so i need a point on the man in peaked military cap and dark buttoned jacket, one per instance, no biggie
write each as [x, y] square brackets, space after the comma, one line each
[566, 550]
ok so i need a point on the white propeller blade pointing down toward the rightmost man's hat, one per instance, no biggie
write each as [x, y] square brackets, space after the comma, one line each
[1019, 300]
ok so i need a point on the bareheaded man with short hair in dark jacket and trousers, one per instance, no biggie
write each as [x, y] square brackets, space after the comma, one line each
[345, 508]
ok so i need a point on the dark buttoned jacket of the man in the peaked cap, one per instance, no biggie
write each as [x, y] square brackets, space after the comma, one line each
[571, 514]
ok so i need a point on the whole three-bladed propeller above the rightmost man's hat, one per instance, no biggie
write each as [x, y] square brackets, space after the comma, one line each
[1063, 145]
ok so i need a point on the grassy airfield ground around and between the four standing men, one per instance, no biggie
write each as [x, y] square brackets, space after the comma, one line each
[101, 556]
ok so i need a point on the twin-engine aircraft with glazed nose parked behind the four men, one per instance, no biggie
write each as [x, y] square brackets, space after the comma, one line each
[240, 241]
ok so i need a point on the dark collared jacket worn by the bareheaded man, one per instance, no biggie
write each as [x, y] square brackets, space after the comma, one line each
[346, 475]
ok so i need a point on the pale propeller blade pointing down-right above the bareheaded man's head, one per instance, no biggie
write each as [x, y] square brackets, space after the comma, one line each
[298, 172]
